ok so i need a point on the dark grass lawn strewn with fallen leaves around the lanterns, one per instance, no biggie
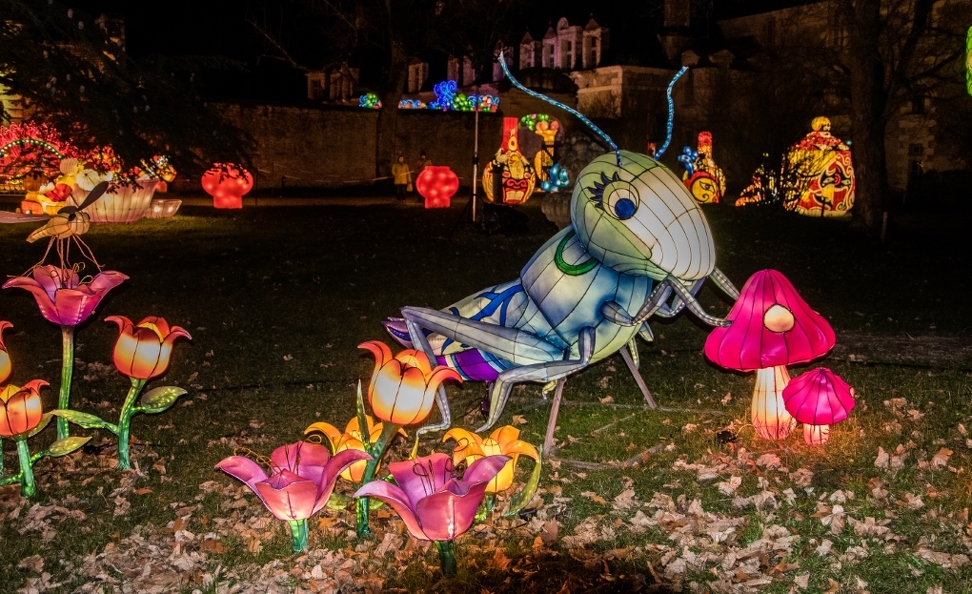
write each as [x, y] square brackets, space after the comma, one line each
[277, 300]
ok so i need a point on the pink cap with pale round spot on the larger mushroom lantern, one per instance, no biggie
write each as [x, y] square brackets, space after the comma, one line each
[771, 325]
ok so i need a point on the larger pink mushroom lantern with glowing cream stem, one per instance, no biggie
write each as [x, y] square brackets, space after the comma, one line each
[772, 327]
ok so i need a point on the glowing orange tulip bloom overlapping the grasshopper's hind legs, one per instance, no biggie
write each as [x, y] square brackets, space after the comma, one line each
[403, 386]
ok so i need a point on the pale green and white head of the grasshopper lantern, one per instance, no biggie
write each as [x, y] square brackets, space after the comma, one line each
[639, 219]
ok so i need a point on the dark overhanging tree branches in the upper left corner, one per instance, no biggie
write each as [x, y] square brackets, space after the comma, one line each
[70, 74]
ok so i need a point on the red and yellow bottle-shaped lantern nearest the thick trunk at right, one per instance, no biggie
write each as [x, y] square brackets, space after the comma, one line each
[819, 176]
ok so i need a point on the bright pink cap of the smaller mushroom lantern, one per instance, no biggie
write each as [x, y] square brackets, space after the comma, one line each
[818, 397]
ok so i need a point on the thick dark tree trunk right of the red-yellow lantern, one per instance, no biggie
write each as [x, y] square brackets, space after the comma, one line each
[868, 118]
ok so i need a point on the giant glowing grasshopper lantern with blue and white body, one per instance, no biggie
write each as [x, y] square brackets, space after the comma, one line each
[638, 245]
